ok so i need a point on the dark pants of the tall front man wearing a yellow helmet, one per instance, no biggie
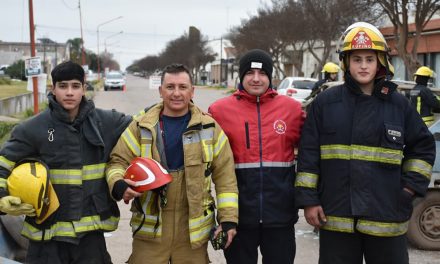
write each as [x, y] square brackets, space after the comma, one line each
[351, 248]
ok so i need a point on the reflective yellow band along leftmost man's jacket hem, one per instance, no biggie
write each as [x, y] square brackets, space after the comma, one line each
[70, 229]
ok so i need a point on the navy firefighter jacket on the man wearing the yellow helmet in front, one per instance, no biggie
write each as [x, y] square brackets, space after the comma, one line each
[357, 153]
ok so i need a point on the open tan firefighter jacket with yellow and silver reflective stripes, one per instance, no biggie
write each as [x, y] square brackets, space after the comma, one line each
[207, 157]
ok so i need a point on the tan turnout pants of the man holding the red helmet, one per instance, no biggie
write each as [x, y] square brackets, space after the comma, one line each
[174, 246]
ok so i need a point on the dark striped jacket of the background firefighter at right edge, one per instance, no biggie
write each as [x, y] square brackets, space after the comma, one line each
[424, 100]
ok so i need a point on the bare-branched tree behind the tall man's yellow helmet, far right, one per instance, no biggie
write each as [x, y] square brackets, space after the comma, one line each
[398, 11]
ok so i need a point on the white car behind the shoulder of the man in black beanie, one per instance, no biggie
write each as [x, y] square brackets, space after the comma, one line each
[297, 88]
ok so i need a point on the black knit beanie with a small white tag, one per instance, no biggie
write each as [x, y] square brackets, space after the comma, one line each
[256, 59]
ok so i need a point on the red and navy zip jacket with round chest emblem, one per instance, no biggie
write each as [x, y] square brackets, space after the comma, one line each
[263, 132]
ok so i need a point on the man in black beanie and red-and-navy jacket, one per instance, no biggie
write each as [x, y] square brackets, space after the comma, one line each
[263, 129]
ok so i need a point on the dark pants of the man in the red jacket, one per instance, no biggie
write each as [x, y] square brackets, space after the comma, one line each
[277, 246]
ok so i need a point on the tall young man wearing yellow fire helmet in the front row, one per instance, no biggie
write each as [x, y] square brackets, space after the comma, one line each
[364, 155]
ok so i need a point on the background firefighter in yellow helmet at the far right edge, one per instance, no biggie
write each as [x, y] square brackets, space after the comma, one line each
[422, 98]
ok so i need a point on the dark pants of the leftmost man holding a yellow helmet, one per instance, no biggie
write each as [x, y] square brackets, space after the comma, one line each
[90, 250]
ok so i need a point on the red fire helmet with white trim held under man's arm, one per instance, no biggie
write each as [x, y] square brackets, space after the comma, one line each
[147, 173]
